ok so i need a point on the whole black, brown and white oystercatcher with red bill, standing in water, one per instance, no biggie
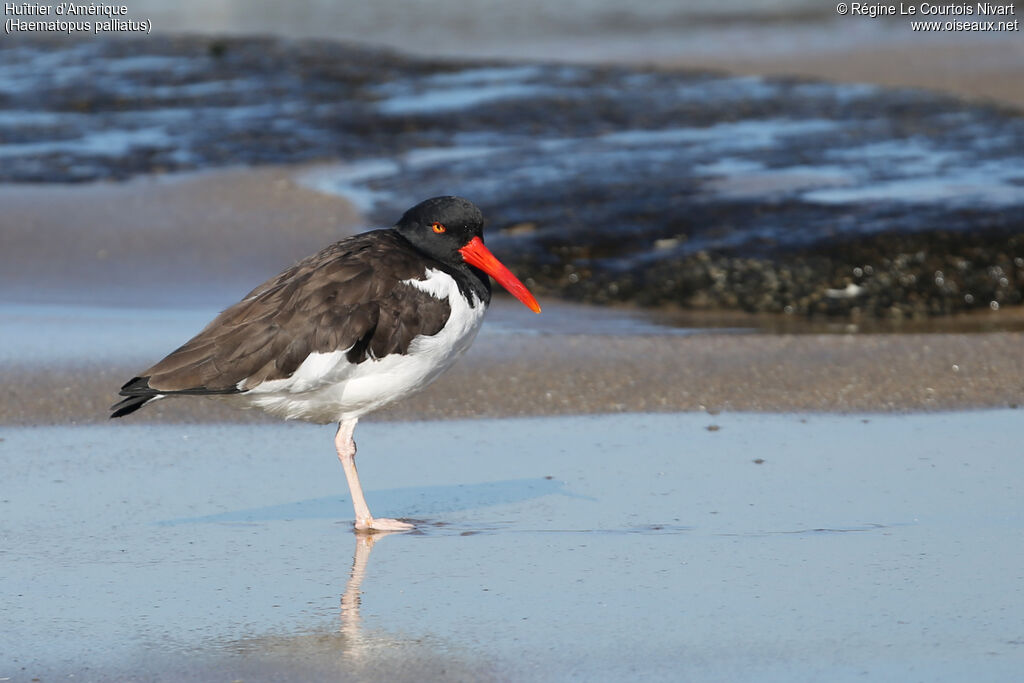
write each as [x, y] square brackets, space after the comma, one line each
[368, 321]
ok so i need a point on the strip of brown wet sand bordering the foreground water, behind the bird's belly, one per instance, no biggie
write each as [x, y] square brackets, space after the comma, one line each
[529, 375]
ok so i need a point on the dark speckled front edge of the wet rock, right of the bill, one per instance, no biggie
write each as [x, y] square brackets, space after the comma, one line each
[884, 276]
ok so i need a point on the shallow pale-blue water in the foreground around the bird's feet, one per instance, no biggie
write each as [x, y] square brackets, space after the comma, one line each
[773, 548]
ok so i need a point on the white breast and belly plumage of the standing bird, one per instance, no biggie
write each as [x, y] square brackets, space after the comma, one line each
[328, 389]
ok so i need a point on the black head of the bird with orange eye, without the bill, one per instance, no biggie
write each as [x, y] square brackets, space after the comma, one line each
[442, 226]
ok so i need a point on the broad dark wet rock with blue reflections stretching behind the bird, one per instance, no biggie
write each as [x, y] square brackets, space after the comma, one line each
[605, 184]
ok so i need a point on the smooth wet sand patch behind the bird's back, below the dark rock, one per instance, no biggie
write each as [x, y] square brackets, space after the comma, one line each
[161, 240]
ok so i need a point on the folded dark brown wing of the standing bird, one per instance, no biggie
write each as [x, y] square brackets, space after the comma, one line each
[349, 296]
